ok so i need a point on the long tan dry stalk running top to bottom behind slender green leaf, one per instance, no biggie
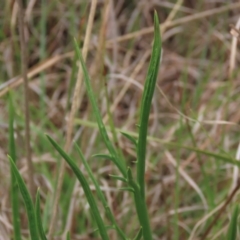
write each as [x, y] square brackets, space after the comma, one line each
[70, 123]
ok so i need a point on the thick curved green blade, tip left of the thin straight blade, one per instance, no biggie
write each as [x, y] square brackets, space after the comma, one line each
[86, 188]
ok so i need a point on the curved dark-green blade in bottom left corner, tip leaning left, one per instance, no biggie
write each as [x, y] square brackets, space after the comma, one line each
[28, 202]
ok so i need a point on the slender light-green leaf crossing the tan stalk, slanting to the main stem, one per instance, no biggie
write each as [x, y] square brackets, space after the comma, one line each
[118, 161]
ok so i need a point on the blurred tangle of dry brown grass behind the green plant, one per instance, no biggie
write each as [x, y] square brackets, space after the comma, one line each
[196, 104]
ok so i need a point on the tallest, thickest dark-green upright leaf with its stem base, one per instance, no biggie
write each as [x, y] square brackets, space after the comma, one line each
[149, 87]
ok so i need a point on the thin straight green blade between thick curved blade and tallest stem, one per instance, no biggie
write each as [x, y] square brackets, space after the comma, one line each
[101, 195]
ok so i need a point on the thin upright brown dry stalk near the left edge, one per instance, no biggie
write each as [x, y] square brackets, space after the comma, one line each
[26, 99]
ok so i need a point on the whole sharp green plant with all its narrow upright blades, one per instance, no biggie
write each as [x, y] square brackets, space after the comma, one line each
[136, 185]
